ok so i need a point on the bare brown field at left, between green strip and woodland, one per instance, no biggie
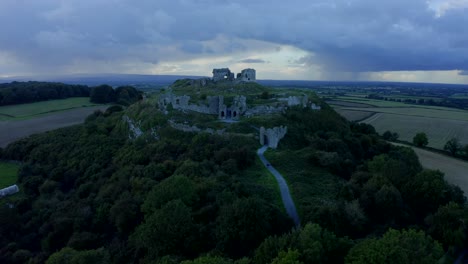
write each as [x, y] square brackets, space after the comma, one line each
[14, 130]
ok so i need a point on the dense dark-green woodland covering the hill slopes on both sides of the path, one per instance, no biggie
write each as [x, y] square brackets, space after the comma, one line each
[91, 195]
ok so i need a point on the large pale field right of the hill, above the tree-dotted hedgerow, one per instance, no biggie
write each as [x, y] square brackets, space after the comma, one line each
[439, 123]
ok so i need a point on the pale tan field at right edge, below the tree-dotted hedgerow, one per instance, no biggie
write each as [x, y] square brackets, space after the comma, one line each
[456, 171]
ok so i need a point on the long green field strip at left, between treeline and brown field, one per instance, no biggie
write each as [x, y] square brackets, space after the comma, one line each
[26, 111]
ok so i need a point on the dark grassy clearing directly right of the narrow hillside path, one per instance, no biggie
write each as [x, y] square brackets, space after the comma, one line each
[309, 186]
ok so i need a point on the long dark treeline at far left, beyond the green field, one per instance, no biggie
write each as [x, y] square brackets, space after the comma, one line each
[28, 92]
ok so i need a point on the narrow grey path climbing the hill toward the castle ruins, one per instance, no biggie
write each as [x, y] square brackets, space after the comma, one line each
[285, 195]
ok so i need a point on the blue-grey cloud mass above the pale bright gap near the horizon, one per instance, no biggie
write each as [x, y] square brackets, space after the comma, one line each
[342, 35]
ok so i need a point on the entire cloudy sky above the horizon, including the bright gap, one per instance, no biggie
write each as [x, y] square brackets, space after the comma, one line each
[386, 40]
